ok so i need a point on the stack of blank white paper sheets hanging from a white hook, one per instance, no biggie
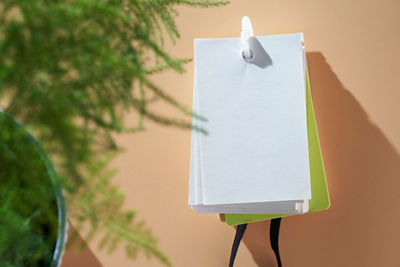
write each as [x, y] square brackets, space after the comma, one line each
[255, 158]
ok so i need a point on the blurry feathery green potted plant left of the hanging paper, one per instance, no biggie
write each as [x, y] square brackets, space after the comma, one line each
[69, 71]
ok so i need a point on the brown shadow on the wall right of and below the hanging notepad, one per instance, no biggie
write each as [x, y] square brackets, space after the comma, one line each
[362, 227]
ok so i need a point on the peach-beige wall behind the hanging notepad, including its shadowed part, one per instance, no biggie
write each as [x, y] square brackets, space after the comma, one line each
[354, 58]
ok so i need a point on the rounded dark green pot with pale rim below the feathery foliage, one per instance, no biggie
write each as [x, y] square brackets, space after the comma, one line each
[33, 216]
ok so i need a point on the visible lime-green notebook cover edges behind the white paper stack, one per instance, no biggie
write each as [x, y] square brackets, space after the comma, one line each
[319, 190]
